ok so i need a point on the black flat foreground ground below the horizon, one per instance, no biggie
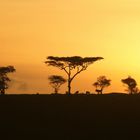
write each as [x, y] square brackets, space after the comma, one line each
[63, 117]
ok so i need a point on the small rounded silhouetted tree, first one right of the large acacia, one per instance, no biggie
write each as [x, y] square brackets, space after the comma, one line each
[101, 83]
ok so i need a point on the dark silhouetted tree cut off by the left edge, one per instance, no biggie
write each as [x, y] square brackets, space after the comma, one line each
[4, 79]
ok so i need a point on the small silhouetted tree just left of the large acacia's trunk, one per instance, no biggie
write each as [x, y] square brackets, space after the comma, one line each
[56, 81]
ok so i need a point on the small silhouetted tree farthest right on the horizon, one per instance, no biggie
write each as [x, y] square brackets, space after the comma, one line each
[131, 85]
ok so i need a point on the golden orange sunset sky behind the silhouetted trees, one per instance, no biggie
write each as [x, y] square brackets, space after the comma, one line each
[31, 30]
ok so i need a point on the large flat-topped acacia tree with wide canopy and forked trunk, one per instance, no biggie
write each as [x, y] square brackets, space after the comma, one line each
[71, 65]
